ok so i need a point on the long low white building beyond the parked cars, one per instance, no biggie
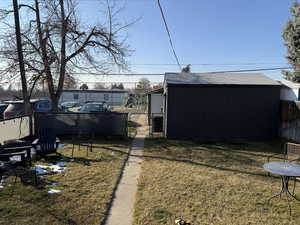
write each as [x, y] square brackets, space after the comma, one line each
[113, 97]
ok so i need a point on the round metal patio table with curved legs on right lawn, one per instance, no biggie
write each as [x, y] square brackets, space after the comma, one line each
[286, 170]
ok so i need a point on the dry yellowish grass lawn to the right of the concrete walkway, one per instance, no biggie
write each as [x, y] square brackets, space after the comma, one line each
[210, 184]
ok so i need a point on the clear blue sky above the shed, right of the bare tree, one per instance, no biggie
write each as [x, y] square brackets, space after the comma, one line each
[215, 32]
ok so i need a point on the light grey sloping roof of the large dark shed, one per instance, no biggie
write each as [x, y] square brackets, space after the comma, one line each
[219, 79]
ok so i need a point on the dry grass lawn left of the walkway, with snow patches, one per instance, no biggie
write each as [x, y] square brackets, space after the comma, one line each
[86, 188]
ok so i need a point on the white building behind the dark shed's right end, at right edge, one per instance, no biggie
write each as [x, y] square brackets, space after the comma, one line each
[289, 91]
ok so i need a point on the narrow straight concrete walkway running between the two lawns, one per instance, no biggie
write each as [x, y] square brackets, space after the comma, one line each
[122, 209]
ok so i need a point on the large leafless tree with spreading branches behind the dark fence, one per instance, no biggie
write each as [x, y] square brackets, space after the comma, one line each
[56, 44]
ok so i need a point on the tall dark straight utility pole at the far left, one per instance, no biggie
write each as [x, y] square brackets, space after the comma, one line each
[20, 57]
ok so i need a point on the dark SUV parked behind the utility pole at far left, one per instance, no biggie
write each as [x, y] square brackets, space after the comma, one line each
[17, 108]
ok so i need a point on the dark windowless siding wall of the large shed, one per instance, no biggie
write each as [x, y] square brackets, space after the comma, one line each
[223, 113]
